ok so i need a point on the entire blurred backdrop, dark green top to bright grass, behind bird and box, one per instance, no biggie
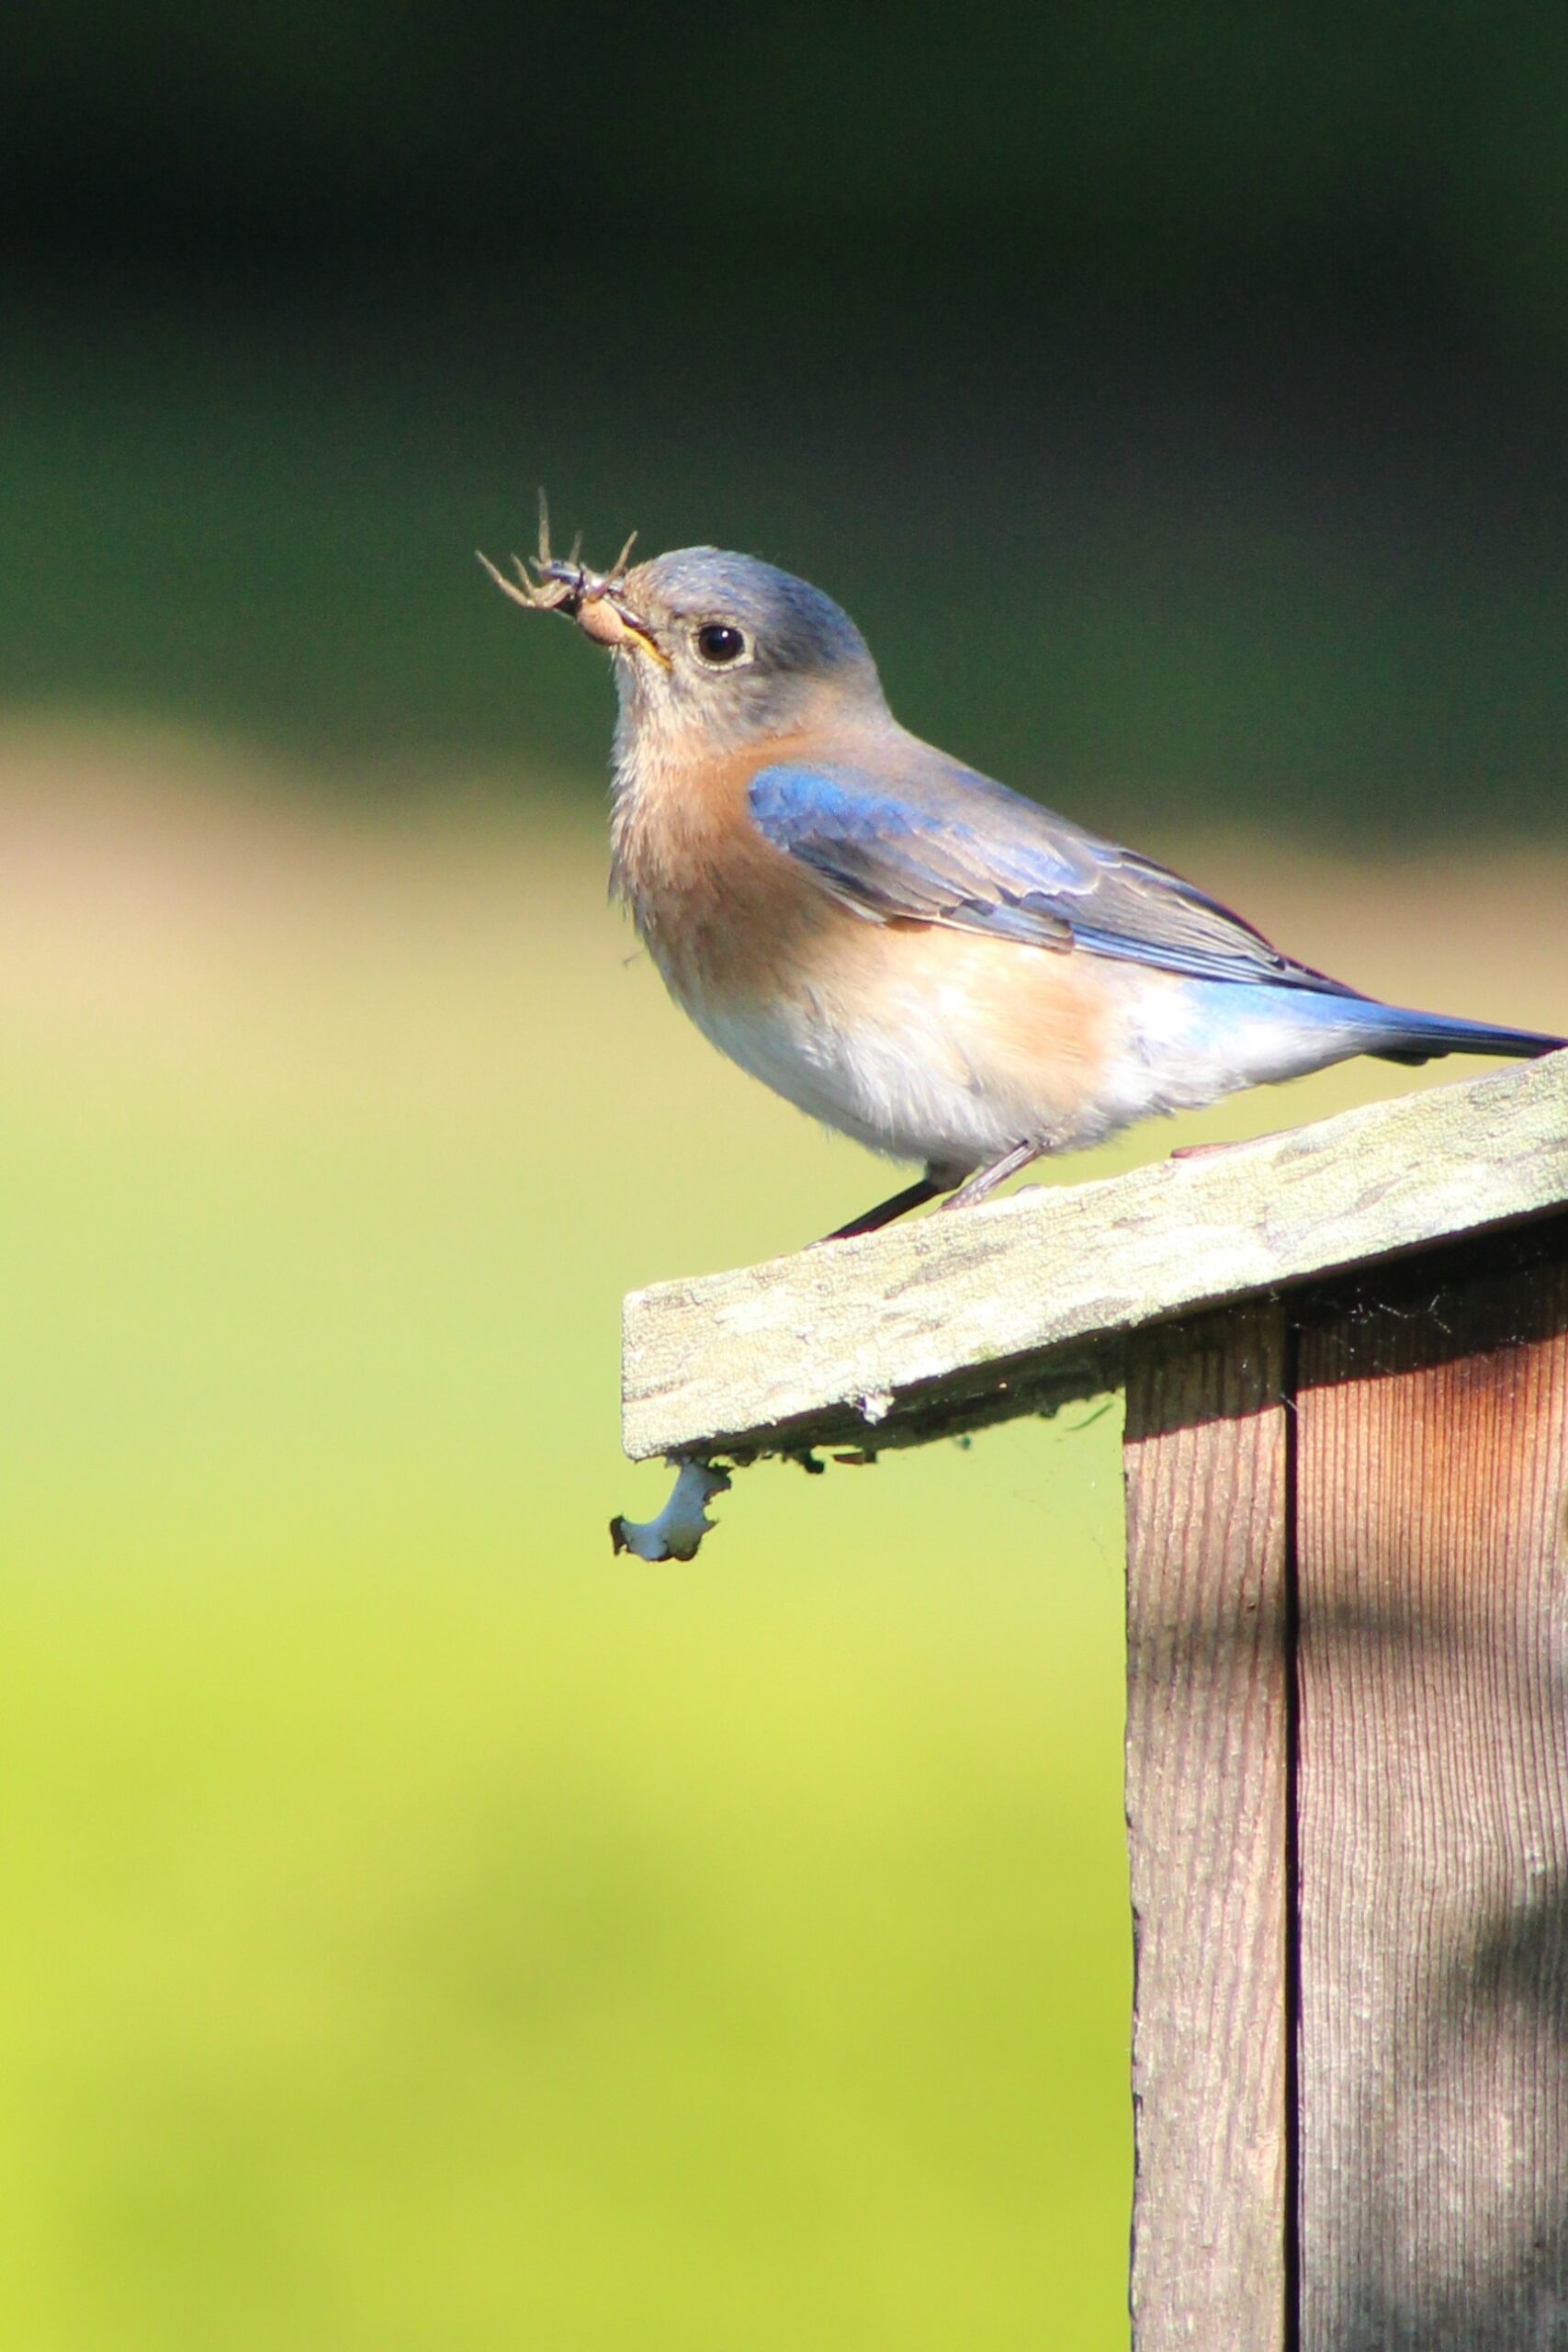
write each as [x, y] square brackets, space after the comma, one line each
[424, 1930]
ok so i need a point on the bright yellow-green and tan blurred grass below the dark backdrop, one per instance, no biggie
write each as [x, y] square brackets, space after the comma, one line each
[420, 1927]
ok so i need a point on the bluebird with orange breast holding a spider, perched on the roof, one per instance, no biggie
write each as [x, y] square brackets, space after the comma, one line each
[902, 947]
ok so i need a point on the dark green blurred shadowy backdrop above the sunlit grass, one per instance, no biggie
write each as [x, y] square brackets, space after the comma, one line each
[1177, 396]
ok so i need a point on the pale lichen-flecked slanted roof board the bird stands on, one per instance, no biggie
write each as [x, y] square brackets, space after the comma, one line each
[1028, 1302]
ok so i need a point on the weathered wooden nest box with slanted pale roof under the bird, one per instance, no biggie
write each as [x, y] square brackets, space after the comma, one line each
[1346, 1370]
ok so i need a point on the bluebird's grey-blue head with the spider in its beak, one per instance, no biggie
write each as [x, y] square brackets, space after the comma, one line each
[709, 643]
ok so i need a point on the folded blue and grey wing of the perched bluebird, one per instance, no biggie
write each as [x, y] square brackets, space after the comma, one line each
[949, 846]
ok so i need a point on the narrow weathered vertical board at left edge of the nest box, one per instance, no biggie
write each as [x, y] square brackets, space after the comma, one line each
[1207, 1772]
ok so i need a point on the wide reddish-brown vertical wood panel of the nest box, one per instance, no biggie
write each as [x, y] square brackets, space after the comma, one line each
[1433, 1805]
